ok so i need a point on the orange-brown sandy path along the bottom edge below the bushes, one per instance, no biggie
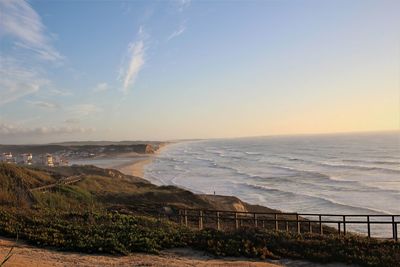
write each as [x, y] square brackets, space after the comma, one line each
[25, 255]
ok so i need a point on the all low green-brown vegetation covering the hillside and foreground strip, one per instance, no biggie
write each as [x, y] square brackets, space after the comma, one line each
[87, 217]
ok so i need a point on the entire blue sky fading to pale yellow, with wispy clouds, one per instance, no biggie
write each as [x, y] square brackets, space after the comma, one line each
[166, 70]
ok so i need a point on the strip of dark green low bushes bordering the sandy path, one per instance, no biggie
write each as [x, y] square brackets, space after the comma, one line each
[114, 233]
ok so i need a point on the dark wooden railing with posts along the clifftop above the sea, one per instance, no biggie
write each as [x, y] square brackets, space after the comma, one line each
[289, 222]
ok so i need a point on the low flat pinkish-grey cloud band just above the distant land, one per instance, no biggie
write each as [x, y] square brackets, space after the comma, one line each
[7, 130]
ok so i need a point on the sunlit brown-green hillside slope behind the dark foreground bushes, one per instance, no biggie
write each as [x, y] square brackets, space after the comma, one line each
[105, 188]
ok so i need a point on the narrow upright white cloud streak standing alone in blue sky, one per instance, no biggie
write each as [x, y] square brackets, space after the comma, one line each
[135, 61]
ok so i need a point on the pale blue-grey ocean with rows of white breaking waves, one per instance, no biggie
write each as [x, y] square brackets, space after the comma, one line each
[335, 174]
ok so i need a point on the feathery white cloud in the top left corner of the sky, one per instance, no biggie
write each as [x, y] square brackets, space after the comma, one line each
[20, 21]
